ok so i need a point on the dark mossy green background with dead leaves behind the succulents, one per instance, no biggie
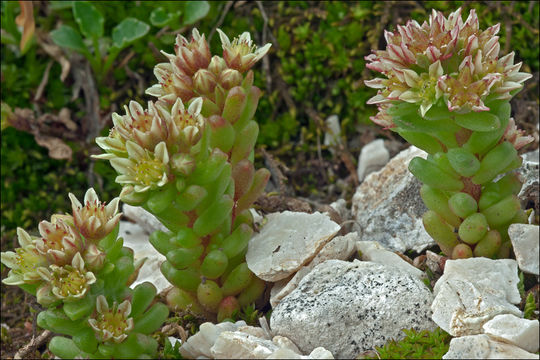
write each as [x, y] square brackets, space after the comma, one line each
[82, 62]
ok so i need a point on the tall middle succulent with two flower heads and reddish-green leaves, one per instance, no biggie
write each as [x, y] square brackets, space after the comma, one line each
[188, 159]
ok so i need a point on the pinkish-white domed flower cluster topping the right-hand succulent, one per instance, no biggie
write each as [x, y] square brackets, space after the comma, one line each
[444, 58]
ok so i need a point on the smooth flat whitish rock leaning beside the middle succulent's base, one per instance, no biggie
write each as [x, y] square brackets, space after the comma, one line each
[288, 241]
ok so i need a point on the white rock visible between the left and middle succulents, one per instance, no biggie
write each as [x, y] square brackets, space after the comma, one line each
[136, 238]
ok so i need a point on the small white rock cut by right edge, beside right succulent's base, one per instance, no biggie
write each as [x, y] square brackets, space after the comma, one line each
[525, 242]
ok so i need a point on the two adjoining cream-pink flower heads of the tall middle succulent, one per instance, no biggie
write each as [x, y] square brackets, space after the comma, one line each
[143, 141]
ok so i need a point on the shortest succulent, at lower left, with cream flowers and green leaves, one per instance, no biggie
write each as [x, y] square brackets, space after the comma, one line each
[80, 273]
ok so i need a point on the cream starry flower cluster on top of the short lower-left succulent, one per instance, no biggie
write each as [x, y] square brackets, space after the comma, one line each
[61, 263]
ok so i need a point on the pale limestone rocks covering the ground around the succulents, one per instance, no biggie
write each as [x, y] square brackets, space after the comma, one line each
[340, 290]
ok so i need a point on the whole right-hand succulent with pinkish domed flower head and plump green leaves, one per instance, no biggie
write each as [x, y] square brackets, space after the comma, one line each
[446, 90]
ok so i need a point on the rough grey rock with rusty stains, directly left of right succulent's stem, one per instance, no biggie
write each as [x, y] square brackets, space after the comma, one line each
[387, 206]
